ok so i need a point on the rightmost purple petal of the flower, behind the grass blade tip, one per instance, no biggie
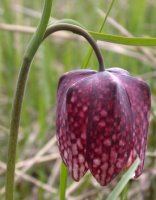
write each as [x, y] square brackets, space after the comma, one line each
[139, 95]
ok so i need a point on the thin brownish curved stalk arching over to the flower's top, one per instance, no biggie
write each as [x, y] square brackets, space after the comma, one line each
[80, 31]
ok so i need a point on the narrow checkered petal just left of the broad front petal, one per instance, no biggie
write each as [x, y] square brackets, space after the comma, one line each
[78, 97]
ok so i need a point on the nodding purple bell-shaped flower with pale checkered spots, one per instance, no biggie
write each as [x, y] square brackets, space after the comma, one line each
[102, 122]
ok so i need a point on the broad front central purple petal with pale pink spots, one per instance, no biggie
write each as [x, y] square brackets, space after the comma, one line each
[109, 139]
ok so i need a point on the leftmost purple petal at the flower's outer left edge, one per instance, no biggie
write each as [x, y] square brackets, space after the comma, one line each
[63, 128]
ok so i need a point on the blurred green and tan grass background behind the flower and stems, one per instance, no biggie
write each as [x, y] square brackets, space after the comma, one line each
[38, 161]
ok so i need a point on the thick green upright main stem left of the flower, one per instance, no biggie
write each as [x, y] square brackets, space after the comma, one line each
[17, 104]
